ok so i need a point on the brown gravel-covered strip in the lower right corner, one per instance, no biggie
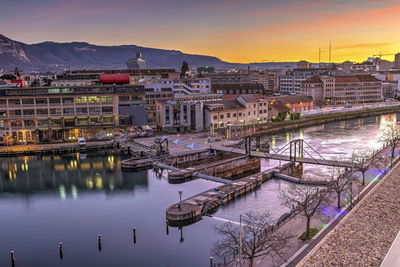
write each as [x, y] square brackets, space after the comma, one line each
[365, 235]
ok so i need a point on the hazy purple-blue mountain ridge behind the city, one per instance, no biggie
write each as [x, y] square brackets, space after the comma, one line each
[52, 56]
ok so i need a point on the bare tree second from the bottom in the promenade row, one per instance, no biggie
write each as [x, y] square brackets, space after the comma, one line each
[305, 200]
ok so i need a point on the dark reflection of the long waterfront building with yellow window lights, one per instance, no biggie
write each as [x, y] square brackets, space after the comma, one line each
[68, 174]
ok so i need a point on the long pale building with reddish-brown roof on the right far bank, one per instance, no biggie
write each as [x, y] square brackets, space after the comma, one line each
[325, 89]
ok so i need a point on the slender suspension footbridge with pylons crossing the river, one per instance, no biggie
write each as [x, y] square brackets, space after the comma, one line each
[293, 151]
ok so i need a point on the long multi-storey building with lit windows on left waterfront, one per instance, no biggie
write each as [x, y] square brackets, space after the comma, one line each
[51, 114]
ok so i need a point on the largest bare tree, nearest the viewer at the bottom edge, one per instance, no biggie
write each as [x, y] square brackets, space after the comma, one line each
[256, 238]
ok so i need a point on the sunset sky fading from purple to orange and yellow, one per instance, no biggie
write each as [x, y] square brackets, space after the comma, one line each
[233, 30]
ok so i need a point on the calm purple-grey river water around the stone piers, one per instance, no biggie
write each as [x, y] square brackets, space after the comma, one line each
[72, 199]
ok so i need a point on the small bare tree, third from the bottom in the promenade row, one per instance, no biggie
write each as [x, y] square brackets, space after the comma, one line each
[340, 181]
